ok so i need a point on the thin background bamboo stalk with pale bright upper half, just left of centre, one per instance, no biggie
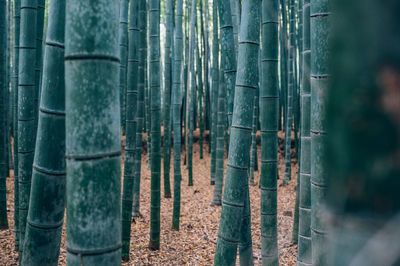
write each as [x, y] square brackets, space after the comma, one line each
[191, 92]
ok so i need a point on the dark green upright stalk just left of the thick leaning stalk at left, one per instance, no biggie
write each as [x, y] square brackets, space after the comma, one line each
[26, 109]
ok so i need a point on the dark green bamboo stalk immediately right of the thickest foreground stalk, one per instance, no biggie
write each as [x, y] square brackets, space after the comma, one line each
[131, 122]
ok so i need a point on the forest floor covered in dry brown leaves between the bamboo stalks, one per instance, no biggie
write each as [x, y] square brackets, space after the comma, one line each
[195, 242]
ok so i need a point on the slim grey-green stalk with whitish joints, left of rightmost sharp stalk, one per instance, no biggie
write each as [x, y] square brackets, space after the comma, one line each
[304, 242]
